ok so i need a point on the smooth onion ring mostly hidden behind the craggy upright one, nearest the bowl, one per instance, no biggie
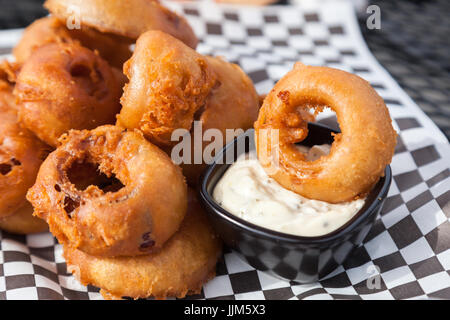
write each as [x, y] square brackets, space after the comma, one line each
[233, 104]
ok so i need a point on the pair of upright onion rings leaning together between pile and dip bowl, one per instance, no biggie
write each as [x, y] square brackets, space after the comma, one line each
[171, 85]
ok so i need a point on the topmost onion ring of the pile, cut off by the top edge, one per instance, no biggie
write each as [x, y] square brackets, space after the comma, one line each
[128, 18]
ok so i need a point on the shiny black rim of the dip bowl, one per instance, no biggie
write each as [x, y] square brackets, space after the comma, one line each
[260, 231]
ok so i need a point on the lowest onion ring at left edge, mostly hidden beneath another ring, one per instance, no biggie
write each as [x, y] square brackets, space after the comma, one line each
[23, 222]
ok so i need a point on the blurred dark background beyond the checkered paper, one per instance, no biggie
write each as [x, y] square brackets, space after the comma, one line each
[413, 44]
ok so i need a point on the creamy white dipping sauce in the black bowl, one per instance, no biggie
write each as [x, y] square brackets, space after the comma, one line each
[246, 191]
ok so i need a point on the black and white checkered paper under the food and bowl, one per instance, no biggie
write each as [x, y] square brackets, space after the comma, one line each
[409, 243]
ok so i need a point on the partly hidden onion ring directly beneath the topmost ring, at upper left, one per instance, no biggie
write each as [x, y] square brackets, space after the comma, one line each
[47, 30]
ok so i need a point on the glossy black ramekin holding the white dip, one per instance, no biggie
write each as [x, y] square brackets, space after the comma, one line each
[290, 257]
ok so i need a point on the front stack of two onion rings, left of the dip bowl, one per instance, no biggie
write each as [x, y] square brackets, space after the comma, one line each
[124, 229]
